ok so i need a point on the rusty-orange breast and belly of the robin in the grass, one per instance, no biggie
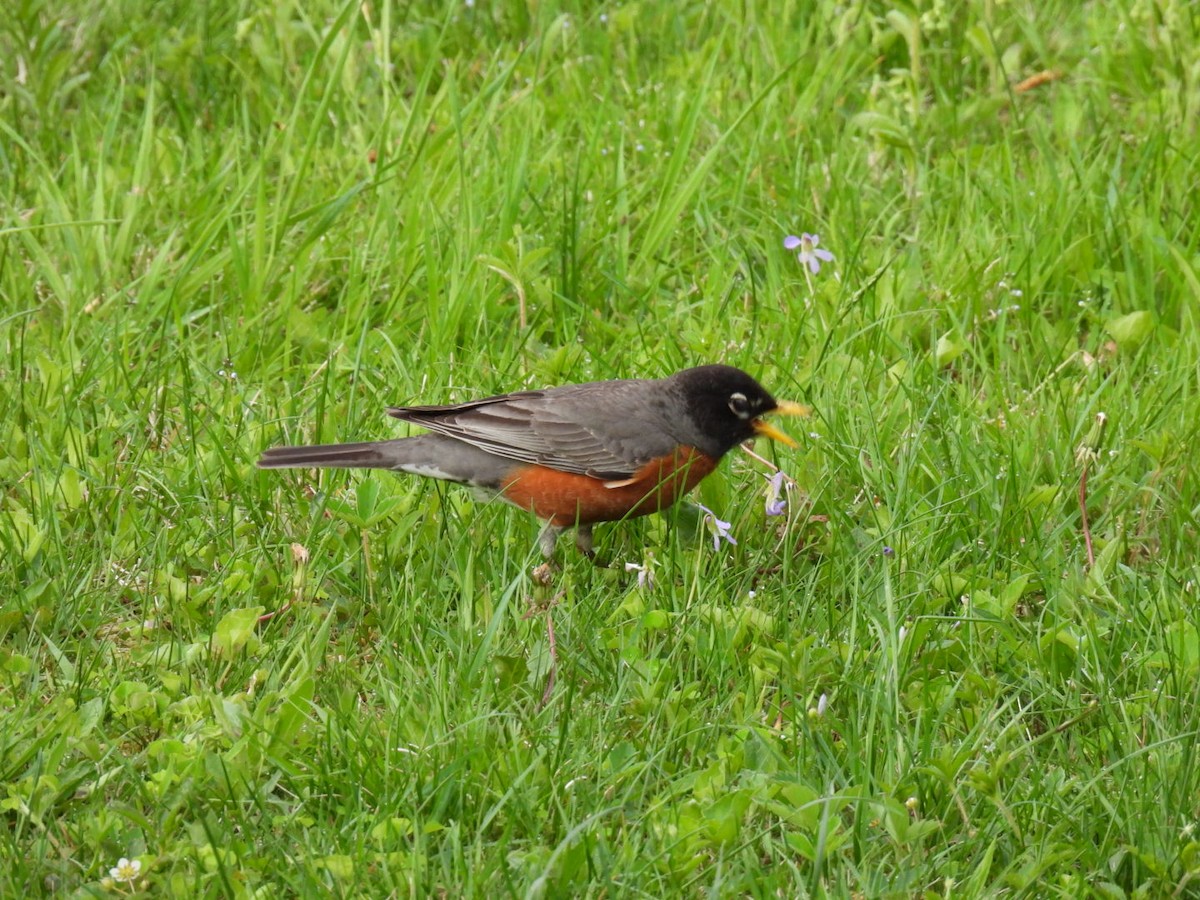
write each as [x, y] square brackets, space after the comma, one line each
[566, 499]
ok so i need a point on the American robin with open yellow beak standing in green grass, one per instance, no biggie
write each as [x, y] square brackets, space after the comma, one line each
[574, 455]
